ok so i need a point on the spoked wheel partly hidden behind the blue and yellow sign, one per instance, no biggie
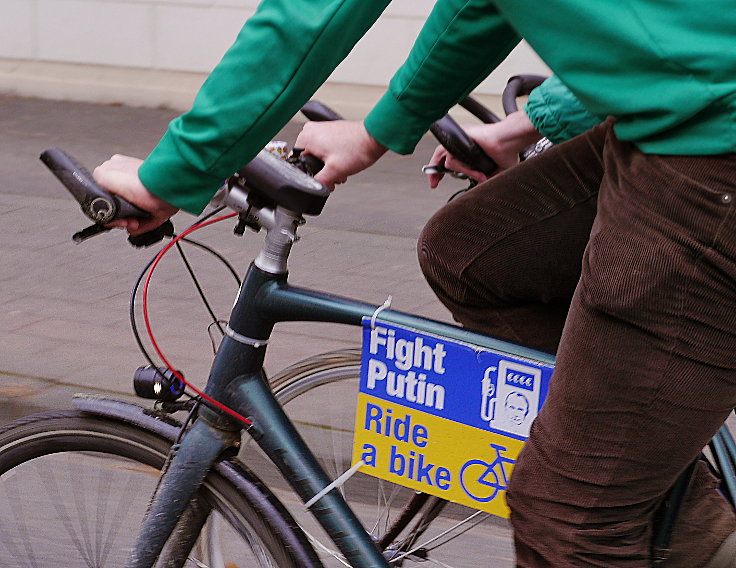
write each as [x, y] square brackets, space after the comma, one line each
[323, 382]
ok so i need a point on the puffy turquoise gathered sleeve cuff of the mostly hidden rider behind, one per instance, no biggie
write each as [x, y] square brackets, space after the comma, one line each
[557, 113]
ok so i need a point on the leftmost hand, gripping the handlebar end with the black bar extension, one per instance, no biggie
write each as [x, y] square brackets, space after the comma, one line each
[119, 175]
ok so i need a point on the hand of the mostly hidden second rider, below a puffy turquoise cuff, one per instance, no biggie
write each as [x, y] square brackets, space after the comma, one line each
[502, 141]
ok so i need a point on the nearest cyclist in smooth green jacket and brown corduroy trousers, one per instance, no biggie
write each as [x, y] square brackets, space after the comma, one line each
[645, 372]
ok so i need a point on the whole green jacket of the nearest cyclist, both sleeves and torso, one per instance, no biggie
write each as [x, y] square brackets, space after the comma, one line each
[667, 73]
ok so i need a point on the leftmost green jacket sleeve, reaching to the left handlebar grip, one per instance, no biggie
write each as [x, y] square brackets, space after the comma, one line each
[284, 52]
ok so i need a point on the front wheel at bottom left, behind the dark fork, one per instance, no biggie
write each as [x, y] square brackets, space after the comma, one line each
[73, 487]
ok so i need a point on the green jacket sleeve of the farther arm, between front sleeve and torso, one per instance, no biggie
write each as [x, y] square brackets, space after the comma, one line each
[461, 42]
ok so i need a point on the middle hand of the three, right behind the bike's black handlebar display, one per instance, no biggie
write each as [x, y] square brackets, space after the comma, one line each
[344, 146]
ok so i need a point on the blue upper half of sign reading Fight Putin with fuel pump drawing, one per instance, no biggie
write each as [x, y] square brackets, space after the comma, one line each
[456, 381]
